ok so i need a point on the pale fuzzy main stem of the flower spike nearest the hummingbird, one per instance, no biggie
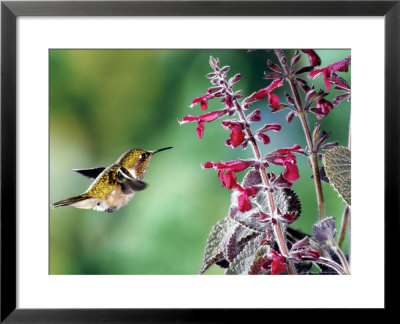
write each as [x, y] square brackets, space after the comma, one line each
[277, 228]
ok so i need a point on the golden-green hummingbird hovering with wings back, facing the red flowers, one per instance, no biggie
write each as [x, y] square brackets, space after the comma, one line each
[113, 187]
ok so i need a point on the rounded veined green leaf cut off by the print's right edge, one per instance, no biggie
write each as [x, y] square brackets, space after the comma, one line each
[337, 162]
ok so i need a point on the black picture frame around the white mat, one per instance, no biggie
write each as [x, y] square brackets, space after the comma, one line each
[10, 10]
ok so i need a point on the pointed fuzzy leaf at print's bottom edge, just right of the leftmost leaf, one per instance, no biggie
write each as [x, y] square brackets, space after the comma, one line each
[245, 259]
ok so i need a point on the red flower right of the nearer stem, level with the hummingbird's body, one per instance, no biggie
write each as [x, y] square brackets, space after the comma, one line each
[286, 158]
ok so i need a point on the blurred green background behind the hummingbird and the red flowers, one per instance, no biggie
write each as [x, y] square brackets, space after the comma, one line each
[105, 102]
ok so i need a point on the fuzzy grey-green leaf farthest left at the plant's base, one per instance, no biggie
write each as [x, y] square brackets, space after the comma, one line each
[214, 250]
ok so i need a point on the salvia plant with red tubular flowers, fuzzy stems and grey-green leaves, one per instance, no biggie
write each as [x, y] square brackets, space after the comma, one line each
[255, 237]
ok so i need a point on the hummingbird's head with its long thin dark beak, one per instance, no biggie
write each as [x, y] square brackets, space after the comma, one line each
[137, 161]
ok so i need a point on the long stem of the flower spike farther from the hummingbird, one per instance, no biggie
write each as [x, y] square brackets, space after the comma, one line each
[301, 113]
